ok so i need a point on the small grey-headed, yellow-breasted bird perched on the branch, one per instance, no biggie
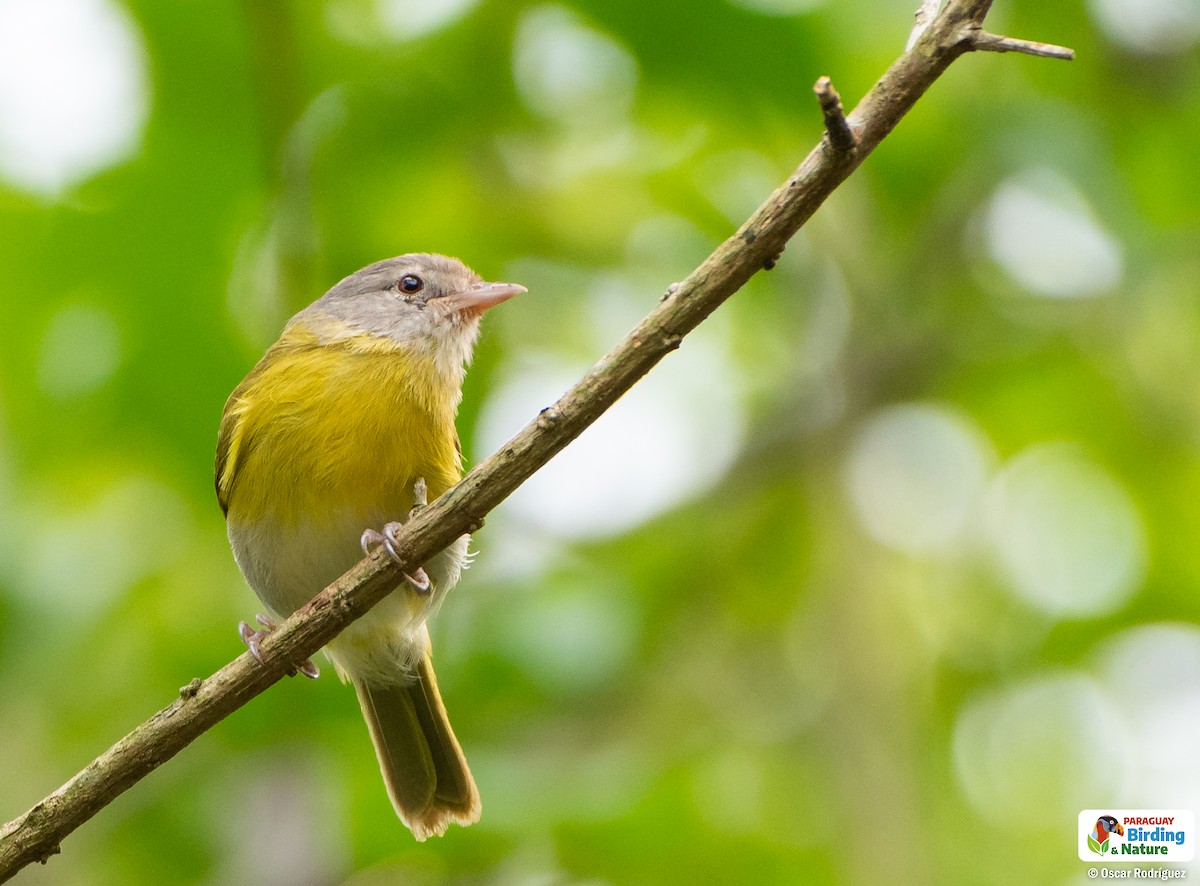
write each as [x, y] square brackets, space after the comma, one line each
[333, 432]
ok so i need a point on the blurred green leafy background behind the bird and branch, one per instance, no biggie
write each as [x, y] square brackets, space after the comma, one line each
[896, 576]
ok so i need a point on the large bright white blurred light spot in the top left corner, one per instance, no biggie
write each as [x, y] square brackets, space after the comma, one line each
[73, 91]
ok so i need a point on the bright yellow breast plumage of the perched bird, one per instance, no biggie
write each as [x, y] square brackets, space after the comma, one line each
[337, 427]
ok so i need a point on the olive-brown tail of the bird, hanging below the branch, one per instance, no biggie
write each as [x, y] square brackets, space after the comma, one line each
[423, 765]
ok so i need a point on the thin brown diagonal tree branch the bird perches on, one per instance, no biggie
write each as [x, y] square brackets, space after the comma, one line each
[38, 834]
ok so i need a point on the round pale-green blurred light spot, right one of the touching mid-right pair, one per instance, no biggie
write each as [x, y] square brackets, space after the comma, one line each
[1069, 538]
